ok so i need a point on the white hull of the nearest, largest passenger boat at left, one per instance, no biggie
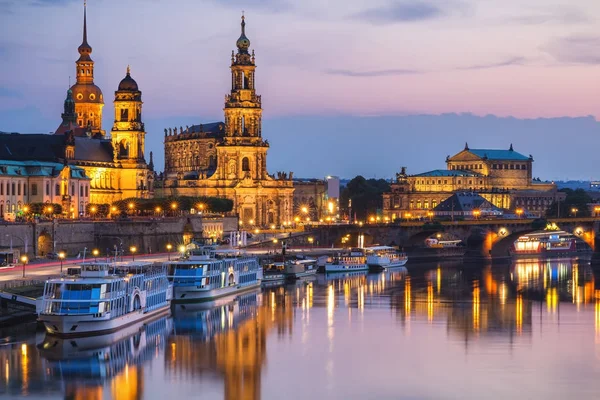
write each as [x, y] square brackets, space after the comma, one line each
[87, 325]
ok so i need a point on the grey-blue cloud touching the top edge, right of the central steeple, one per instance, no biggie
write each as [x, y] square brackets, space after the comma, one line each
[406, 11]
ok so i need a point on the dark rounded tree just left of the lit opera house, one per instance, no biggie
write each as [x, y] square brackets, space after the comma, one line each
[366, 196]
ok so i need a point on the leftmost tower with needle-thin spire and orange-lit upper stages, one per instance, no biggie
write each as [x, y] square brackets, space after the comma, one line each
[88, 97]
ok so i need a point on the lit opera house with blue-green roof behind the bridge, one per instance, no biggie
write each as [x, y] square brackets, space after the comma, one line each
[503, 177]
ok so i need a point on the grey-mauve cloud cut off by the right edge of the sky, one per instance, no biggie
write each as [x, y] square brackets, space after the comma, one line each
[578, 49]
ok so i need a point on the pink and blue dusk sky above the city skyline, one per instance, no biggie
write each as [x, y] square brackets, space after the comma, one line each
[410, 80]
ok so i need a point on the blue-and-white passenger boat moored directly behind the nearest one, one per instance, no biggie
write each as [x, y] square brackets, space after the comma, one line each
[206, 273]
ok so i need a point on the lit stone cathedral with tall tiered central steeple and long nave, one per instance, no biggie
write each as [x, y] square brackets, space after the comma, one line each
[229, 159]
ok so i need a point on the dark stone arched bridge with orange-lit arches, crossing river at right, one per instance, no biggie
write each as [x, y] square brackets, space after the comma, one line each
[487, 238]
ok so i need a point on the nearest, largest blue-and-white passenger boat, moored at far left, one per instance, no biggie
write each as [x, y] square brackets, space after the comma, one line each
[104, 297]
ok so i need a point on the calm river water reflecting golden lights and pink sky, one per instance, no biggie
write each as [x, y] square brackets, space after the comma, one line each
[530, 330]
